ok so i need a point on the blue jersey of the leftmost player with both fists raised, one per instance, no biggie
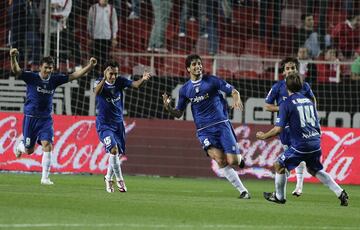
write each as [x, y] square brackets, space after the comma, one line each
[40, 92]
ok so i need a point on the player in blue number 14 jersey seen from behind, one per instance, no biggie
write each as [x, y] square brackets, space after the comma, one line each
[300, 114]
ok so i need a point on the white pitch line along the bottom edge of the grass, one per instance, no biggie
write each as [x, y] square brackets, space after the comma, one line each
[171, 226]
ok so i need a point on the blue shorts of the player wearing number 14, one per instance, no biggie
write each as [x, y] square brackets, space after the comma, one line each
[290, 159]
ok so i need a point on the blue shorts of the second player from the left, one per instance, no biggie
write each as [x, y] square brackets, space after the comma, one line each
[112, 135]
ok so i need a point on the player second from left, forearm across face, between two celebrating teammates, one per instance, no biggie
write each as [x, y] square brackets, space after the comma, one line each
[109, 120]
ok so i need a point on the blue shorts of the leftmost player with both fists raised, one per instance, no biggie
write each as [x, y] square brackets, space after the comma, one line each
[36, 130]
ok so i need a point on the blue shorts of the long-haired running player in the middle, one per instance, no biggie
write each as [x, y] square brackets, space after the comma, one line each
[220, 136]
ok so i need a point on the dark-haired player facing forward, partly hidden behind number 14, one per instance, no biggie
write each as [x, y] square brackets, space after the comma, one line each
[278, 94]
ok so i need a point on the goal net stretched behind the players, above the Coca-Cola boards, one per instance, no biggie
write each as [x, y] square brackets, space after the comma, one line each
[241, 41]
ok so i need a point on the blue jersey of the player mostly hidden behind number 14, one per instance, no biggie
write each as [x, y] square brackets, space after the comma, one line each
[278, 93]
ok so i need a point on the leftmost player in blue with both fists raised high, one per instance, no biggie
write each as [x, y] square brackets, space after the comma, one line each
[38, 123]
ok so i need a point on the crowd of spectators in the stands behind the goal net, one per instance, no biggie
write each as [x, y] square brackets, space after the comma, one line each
[313, 39]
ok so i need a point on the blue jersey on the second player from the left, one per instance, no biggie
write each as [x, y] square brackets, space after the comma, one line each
[109, 103]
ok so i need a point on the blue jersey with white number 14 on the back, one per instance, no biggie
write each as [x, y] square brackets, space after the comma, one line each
[300, 113]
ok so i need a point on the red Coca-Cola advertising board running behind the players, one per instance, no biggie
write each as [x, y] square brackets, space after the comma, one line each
[168, 148]
